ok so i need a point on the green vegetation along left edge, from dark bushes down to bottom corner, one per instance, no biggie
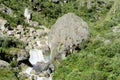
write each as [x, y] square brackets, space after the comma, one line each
[9, 44]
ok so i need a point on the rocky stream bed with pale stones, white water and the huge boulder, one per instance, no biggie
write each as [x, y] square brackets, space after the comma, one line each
[44, 46]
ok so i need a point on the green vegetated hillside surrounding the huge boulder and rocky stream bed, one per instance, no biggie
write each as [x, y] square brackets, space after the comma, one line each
[98, 59]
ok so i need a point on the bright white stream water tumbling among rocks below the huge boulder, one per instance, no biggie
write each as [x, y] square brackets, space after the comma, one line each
[36, 56]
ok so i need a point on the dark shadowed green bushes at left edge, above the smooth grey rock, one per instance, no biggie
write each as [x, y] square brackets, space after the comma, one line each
[6, 45]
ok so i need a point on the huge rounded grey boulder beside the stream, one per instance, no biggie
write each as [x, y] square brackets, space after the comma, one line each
[68, 33]
